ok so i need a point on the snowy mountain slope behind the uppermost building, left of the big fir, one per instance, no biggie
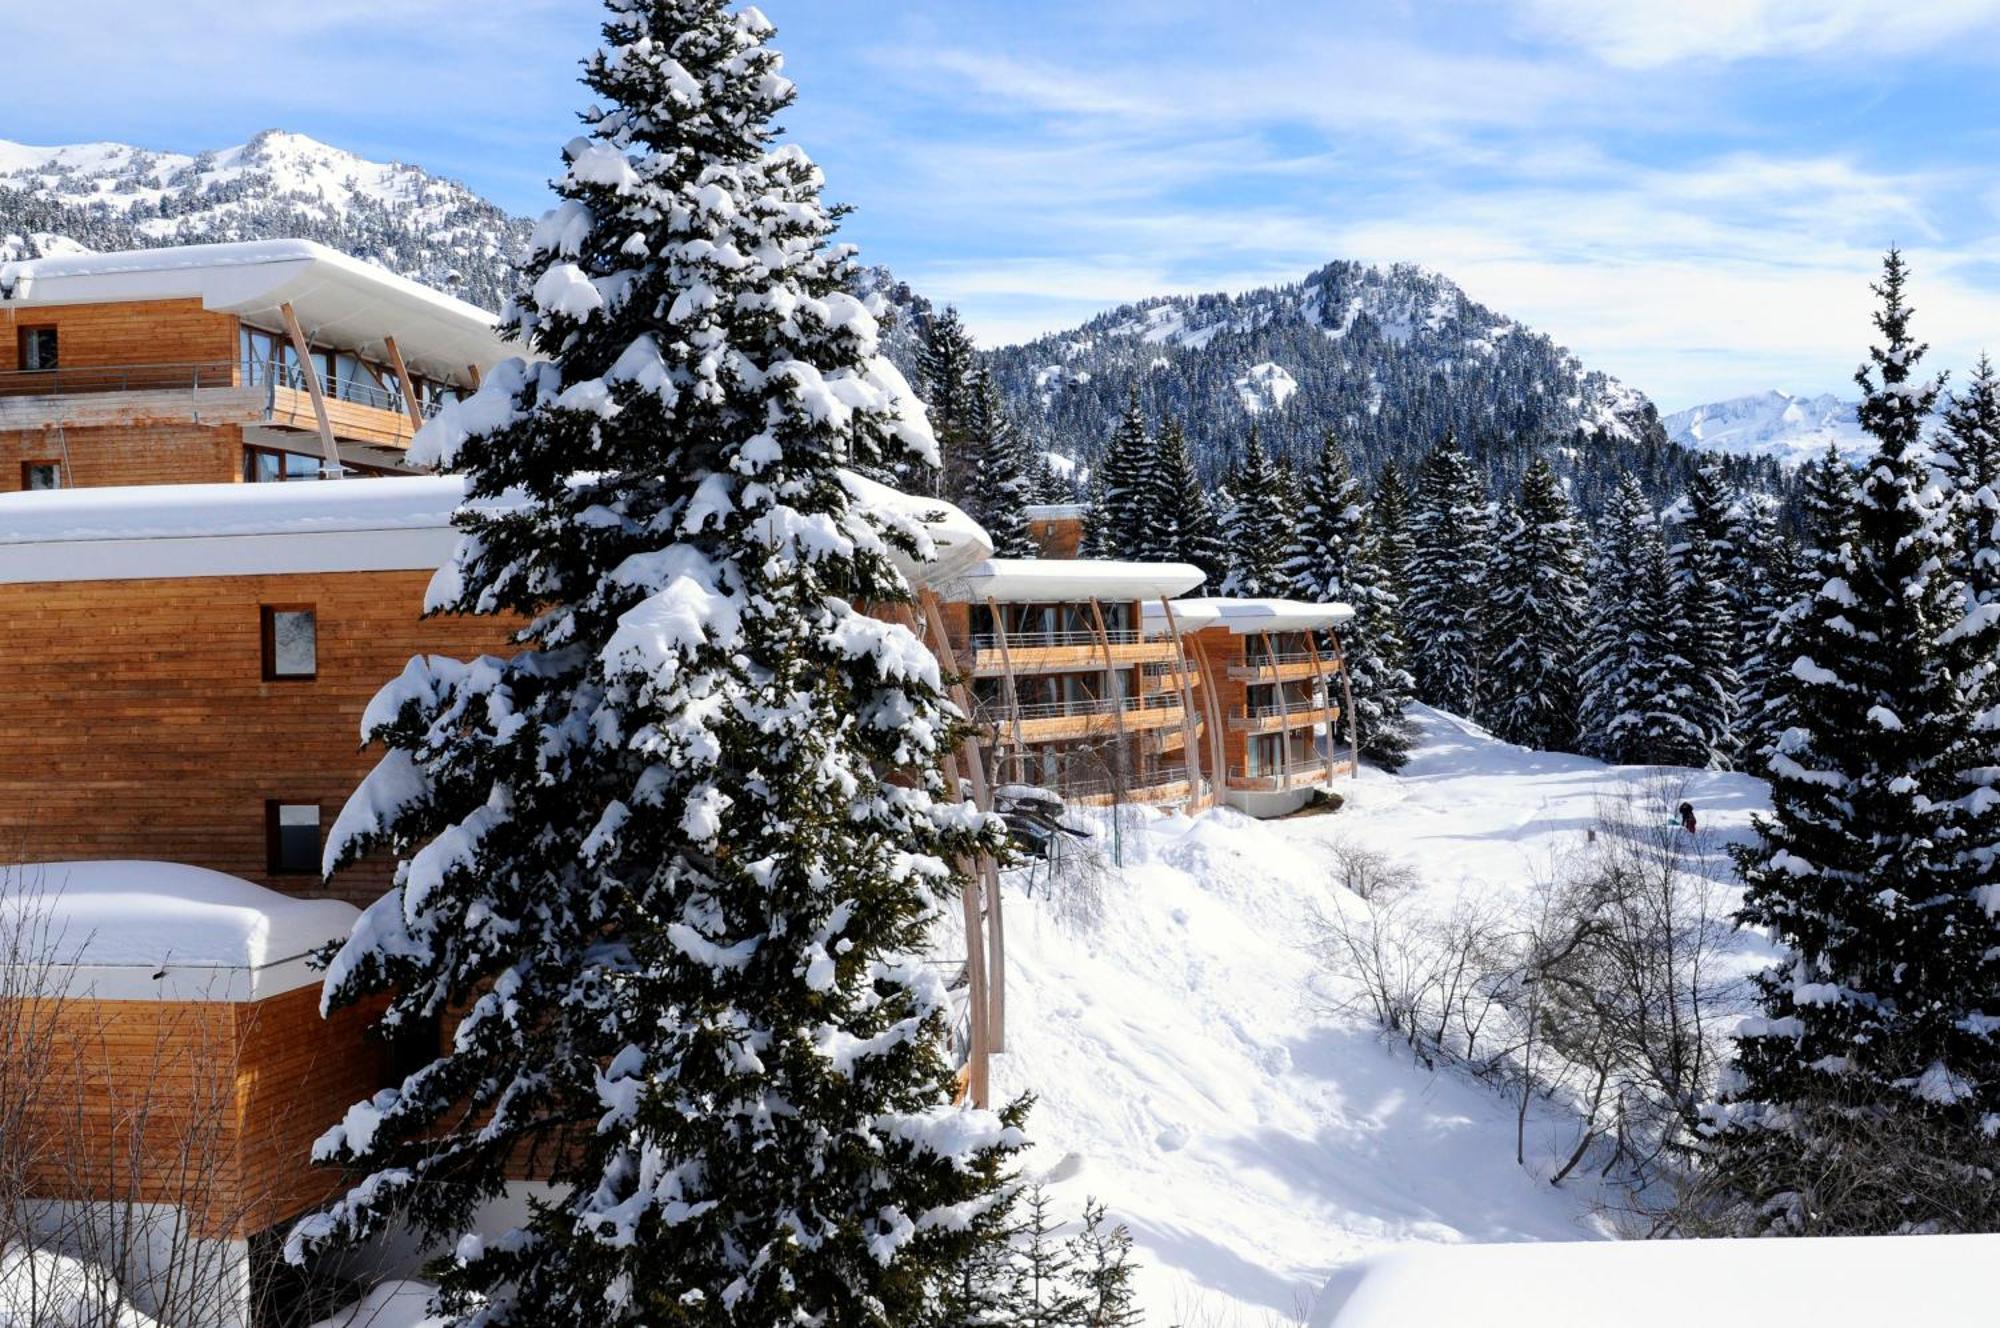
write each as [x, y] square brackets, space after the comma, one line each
[109, 197]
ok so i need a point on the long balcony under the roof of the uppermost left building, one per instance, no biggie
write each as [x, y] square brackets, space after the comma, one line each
[207, 393]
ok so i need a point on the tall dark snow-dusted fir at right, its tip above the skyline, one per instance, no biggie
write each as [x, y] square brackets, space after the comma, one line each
[1867, 1095]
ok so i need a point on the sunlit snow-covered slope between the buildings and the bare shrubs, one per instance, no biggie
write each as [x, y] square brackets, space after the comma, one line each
[1189, 1077]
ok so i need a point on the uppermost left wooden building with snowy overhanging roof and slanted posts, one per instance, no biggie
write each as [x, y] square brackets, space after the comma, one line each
[223, 363]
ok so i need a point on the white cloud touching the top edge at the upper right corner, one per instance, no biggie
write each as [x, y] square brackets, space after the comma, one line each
[1653, 33]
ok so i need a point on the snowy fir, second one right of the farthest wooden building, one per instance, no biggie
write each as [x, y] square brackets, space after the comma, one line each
[1445, 603]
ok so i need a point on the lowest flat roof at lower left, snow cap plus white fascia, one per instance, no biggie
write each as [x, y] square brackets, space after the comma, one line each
[161, 931]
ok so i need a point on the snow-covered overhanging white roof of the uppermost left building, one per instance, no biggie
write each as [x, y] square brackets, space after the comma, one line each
[341, 301]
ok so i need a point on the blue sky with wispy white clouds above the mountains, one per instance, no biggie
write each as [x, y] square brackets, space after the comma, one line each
[1689, 193]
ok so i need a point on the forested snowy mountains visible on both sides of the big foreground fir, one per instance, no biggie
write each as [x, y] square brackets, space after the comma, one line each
[1391, 359]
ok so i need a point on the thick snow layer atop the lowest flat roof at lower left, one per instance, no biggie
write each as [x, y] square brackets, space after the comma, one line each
[151, 915]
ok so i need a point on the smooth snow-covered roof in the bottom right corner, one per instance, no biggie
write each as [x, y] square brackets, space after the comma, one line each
[1943, 1281]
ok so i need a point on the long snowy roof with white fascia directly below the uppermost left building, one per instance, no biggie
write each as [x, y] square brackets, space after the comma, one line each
[229, 529]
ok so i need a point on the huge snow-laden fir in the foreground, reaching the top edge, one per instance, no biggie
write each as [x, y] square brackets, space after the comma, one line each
[669, 871]
